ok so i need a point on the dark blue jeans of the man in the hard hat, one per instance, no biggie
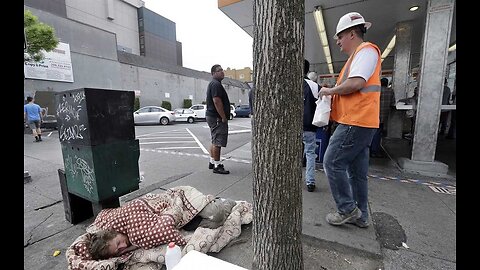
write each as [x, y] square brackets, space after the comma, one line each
[346, 166]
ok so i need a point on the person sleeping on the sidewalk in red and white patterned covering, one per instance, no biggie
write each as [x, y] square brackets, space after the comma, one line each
[134, 225]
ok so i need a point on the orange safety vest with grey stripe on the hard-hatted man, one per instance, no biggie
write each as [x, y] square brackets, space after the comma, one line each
[360, 108]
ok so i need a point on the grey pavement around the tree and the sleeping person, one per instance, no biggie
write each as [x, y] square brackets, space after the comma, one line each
[404, 209]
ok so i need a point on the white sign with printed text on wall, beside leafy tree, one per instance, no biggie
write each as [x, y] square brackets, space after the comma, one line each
[56, 66]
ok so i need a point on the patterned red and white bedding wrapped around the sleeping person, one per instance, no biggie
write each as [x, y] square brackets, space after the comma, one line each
[164, 215]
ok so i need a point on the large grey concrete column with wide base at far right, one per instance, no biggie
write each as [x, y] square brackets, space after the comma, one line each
[434, 54]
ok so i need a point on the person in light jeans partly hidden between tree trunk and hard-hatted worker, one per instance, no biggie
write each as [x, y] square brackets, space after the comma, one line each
[310, 96]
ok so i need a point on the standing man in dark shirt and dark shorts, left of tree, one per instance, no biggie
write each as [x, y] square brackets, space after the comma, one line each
[217, 115]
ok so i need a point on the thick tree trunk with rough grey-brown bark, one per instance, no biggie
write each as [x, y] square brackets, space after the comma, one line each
[277, 133]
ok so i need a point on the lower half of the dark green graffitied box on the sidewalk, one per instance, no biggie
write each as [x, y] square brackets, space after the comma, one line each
[102, 172]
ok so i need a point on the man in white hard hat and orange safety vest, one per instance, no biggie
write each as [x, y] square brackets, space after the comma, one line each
[356, 108]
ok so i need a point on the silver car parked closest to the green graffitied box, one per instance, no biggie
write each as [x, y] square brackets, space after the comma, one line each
[153, 115]
